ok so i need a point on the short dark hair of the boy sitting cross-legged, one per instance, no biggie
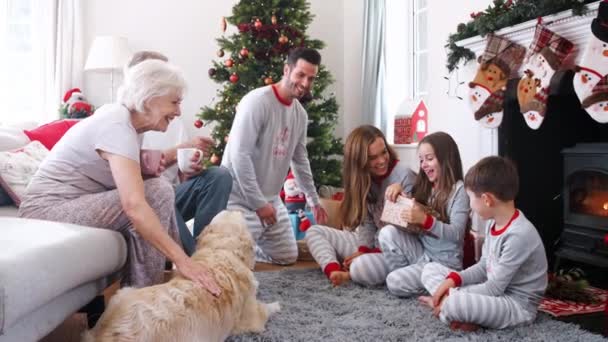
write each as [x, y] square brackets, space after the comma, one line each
[496, 175]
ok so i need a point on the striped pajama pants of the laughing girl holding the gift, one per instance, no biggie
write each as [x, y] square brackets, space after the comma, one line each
[405, 258]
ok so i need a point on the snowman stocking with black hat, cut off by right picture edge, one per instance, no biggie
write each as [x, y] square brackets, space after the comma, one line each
[594, 62]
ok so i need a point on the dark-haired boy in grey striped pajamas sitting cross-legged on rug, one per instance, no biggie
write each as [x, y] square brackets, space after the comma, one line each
[505, 287]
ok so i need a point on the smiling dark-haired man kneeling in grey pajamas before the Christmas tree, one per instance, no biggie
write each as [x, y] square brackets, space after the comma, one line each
[268, 136]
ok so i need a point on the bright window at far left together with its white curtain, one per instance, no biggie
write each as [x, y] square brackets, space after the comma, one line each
[42, 57]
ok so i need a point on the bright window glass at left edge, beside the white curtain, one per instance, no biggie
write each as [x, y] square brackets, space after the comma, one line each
[16, 61]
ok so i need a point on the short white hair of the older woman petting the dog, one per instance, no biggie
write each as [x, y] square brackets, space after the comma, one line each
[148, 79]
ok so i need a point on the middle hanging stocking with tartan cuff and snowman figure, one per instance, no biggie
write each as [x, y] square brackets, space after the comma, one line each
[547, 52]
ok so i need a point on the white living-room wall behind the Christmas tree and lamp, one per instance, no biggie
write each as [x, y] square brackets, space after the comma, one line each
[185, 30]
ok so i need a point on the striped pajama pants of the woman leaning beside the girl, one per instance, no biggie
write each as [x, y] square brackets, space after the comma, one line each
[329, 245]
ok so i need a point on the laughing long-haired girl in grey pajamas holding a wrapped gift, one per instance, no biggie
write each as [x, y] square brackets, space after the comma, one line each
[439, 187]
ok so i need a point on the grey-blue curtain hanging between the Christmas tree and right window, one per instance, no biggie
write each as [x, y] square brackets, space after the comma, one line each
[374, 64]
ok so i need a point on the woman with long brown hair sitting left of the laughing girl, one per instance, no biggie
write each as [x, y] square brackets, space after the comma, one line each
[370, 172]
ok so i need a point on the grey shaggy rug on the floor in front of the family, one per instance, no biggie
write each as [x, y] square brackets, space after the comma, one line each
[312, 310]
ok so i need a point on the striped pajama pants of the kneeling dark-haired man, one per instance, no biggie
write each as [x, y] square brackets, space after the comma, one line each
[275, 244]
